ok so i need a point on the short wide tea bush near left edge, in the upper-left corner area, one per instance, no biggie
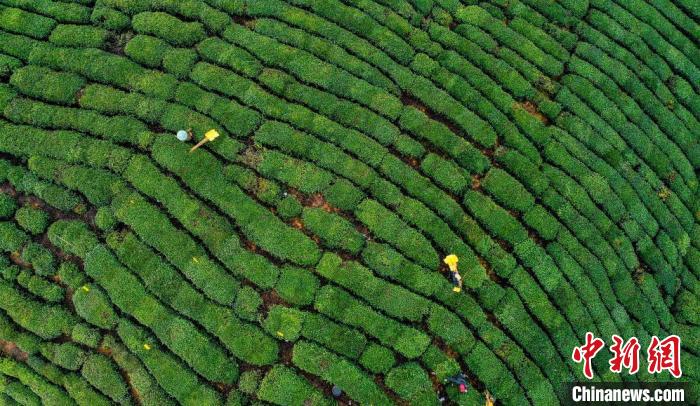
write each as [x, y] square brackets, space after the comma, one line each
[45, 84]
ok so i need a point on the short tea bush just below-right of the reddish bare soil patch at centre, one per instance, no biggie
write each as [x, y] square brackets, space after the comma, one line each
[335, 231]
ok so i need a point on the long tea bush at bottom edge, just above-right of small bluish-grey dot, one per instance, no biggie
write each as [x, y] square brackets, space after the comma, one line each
[336, 370]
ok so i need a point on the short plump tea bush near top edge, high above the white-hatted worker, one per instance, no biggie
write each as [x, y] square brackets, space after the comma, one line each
[169, 28]
